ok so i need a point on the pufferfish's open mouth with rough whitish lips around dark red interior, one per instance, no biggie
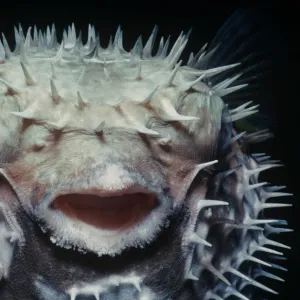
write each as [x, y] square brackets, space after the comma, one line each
[103, 220]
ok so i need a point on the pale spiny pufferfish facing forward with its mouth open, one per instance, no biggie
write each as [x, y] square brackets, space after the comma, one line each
[125, 173]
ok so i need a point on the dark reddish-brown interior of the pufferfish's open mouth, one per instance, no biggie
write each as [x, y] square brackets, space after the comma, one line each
[110, 213]
